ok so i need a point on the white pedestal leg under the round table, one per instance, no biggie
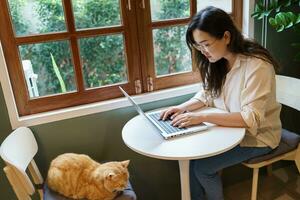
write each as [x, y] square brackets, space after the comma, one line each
[184, 167]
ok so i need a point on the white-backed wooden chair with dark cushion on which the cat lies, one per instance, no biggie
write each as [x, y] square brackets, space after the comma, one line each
[17, 151]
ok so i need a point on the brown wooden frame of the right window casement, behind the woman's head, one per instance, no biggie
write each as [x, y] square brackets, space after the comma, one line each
[147, 59]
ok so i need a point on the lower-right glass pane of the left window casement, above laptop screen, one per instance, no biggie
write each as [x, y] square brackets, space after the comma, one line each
[103, 60]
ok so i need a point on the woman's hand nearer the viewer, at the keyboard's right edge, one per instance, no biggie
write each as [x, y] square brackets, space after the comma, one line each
[187, 119]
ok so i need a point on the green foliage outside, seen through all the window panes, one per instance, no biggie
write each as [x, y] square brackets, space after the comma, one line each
[102, 57]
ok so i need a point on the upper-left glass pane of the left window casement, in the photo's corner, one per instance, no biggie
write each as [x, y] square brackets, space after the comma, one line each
[37, 16]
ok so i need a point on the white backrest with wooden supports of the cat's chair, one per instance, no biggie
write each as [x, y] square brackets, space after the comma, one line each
[17, 151]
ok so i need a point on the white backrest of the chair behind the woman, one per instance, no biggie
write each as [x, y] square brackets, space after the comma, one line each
[288, 91]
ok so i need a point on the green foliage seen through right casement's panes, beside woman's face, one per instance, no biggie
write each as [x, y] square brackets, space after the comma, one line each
[171, 52]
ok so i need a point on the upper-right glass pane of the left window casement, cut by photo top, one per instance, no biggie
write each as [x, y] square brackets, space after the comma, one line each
[91, 14]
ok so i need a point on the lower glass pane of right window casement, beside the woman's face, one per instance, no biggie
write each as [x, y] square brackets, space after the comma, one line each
[170, 51]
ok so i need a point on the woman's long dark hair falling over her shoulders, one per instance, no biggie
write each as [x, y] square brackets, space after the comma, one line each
[215, 22]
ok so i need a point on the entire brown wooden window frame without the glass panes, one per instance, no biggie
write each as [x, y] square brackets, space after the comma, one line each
[139, 66]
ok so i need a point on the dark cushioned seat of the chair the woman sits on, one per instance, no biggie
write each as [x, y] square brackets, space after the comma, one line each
[289, 141]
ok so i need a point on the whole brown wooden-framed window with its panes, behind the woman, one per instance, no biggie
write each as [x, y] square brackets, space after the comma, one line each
[62, 53]
